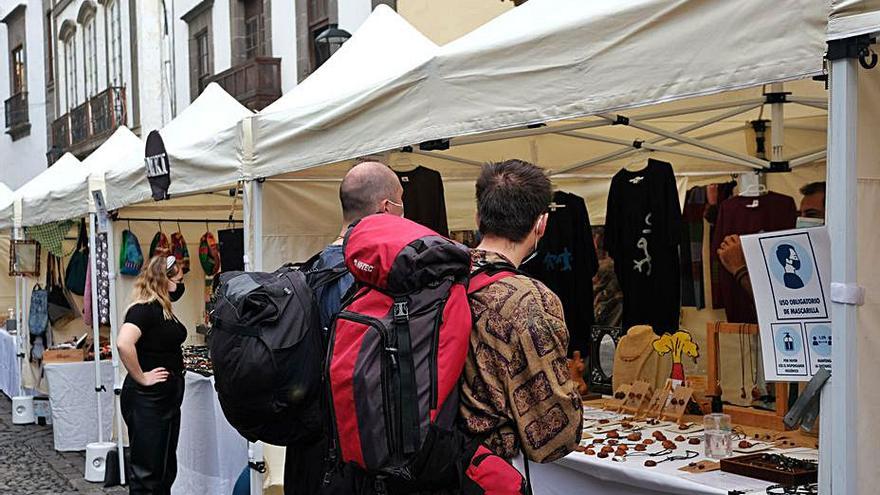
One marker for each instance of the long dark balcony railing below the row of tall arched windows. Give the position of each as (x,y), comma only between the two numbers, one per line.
(87,125)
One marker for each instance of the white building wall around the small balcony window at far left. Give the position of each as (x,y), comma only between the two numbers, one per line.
(24,158)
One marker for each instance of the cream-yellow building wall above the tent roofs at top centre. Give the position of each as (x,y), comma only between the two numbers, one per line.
(448,20)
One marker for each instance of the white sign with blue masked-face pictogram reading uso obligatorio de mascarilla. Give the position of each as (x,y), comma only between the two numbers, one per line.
(790,274)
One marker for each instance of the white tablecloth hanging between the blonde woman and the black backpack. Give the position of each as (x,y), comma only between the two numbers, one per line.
(210,453)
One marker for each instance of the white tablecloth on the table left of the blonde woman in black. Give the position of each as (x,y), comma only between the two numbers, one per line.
(74,403)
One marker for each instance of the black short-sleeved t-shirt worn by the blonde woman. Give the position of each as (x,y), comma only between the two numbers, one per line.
(159,345)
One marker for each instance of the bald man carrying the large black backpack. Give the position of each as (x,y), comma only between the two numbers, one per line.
(368,188)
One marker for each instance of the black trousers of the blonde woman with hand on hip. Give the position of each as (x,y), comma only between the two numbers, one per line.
(153,418)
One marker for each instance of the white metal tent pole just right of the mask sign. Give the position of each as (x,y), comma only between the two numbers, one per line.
(838,444)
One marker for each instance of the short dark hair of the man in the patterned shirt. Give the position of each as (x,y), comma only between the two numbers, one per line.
(511,195)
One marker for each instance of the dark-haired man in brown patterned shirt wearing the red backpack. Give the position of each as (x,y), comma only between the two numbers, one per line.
(516,390)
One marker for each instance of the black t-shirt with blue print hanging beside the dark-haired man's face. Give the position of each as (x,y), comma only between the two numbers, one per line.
(566,262)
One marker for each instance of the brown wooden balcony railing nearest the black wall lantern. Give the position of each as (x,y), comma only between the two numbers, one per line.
(255,83)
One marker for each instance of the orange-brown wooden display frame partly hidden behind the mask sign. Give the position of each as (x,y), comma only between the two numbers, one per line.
(746,416)
